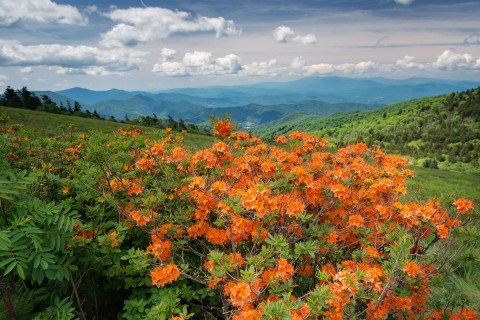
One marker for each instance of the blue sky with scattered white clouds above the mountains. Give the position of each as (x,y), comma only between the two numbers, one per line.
(153,45)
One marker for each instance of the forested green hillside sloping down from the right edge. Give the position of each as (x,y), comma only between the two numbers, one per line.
(442,130)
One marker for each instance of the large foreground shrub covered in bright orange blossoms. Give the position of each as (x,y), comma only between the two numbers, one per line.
(289,230)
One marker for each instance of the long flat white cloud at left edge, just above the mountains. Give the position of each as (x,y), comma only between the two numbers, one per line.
(71,59)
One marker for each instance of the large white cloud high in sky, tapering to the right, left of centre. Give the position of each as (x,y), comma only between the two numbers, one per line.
(140,25)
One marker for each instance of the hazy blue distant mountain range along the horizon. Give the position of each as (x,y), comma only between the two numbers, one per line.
(251,105)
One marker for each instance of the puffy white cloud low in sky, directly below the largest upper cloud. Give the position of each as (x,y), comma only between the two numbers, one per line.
(199,63)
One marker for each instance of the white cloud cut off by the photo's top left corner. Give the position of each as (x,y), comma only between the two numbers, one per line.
(41,11)
